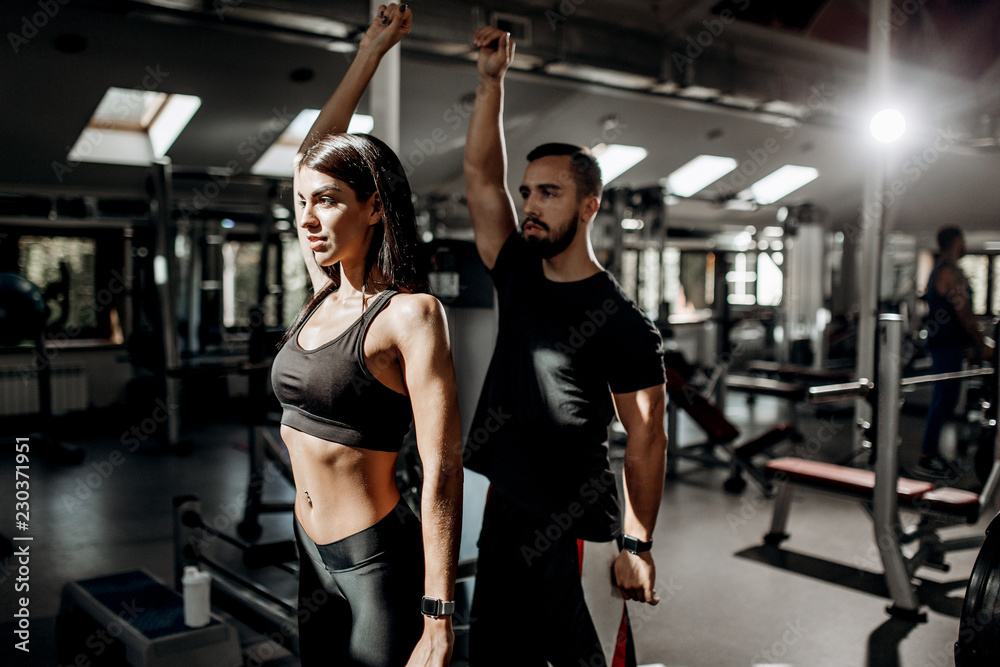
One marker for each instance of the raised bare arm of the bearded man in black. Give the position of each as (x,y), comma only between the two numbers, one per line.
(490,203)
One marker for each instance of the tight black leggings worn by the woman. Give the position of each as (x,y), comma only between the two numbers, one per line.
(359,597)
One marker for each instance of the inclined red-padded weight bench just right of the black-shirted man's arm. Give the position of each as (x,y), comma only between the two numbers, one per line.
(720,432)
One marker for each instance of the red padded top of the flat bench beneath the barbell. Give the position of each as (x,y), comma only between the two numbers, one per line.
(861,484)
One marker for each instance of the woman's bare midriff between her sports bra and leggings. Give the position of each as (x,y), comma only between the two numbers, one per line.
(339,490)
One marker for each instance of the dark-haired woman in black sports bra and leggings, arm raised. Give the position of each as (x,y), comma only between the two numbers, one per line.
(368,352)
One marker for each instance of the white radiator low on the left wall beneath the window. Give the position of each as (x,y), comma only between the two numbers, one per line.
(19,391)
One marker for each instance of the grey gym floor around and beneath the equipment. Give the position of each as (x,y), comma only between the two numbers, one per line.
(726,602)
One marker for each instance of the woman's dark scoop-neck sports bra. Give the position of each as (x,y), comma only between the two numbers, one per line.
(329,392)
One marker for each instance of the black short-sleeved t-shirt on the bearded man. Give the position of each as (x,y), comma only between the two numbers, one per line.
(540,430)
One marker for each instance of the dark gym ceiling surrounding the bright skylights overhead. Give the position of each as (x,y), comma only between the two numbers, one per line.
(730,78)
